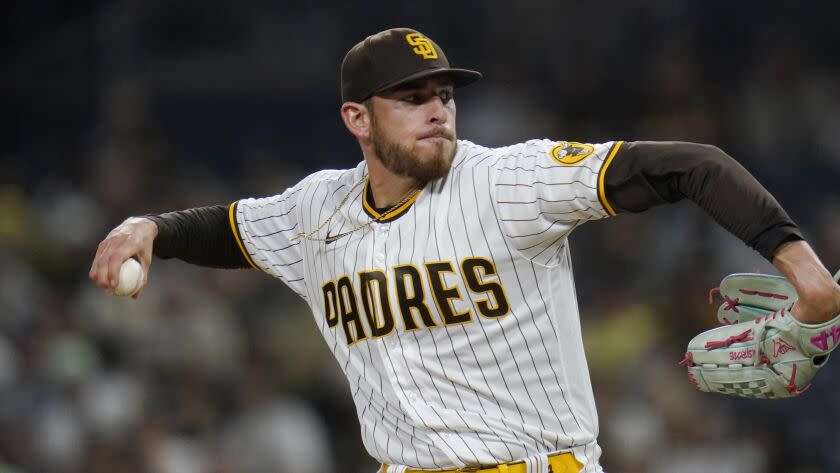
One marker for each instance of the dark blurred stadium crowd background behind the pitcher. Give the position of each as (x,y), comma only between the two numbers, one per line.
(120,108)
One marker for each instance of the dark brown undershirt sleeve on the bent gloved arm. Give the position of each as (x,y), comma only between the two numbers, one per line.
(646,173)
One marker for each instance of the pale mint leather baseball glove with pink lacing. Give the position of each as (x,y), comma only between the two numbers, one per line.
(762,351)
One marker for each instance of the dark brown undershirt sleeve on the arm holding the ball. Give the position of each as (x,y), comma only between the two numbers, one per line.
(201,236)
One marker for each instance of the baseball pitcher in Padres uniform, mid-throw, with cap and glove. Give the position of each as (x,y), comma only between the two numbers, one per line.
(439,275)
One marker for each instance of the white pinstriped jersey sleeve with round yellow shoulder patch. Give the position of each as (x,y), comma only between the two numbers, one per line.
(545,189)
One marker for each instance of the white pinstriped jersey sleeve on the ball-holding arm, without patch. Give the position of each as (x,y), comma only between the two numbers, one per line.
(265,229)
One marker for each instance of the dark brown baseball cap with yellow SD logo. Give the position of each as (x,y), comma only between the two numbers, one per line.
(394,57)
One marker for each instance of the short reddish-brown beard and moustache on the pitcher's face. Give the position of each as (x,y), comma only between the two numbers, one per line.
(404,160)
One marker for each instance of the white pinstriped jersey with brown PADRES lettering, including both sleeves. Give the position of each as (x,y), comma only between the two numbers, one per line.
(454,319)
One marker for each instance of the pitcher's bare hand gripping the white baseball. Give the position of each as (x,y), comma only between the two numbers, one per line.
(132,238)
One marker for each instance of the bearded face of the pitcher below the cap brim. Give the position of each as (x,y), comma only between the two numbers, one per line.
(413,128)
